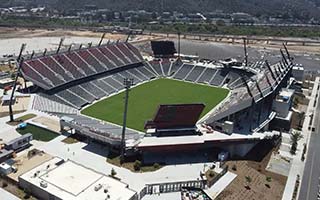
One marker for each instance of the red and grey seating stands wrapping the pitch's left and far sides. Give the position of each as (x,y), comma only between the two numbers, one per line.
(99,71)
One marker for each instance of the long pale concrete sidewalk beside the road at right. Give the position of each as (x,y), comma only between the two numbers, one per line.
(297,166)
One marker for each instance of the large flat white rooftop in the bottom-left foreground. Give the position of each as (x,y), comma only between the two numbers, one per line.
(69,180)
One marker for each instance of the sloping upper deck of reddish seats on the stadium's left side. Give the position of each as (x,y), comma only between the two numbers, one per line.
(59,69)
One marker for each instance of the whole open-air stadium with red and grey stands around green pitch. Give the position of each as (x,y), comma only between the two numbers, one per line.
(175,104)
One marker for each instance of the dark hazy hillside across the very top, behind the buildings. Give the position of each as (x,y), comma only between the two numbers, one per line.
(297,8)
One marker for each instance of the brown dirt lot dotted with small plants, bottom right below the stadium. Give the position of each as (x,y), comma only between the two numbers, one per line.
(264,185)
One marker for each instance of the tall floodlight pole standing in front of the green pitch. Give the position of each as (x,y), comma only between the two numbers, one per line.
(128,82)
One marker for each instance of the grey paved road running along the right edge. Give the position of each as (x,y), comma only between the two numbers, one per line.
(310,180)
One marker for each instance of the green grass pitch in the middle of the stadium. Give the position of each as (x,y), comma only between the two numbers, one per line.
(145,99)
